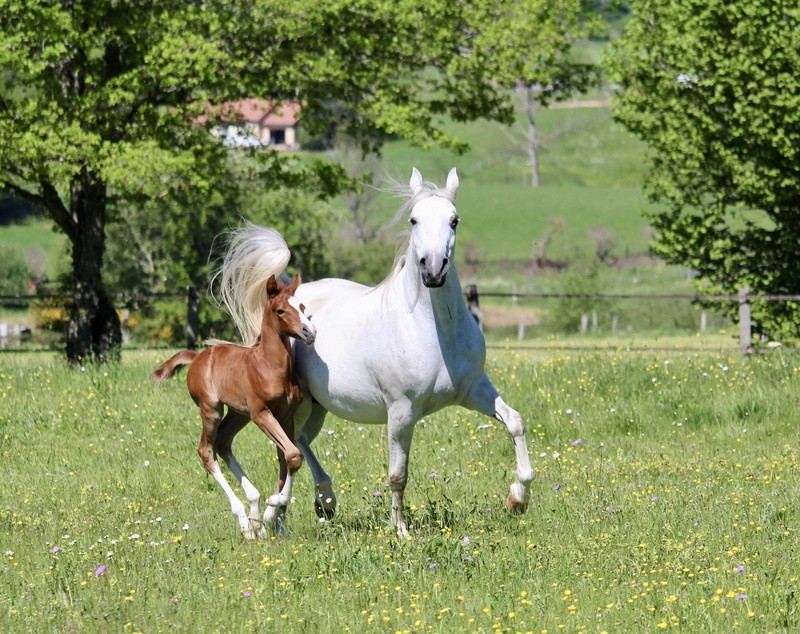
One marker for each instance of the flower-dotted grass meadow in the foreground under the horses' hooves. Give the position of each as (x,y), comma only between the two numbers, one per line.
(665,498)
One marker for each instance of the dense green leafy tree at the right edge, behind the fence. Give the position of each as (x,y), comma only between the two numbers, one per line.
(713,90)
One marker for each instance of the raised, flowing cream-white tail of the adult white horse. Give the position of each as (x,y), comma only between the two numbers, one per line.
(254,253)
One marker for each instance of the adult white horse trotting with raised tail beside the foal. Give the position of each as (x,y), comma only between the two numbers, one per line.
(389,354)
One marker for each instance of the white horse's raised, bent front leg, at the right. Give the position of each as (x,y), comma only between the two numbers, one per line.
(483,397)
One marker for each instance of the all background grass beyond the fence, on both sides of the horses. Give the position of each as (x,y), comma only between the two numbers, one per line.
(592,172)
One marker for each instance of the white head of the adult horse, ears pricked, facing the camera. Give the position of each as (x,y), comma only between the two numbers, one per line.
(433,221)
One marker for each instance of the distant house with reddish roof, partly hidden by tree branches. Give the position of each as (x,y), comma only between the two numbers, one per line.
(256,122)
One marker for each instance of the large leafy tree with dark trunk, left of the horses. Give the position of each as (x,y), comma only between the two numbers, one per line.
(99,99)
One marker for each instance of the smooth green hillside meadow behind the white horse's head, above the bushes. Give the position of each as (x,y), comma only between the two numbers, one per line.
(592,172)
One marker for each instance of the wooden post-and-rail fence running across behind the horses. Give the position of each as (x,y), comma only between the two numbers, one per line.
(743,298)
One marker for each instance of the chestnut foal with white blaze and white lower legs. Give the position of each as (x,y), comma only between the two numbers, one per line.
(255,383)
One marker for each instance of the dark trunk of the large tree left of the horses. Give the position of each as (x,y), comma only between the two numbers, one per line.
(94,331)
